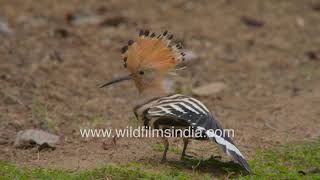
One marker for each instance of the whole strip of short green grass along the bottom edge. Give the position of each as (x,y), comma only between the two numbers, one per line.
(285,162)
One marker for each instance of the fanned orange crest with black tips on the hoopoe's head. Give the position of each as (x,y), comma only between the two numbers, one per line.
(153,52)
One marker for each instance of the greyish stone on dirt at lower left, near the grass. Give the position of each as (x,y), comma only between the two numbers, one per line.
(32,137)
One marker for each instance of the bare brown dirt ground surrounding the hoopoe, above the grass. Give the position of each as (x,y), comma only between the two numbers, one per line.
(59,52)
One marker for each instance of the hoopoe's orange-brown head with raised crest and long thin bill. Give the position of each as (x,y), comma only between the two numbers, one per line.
(149,58)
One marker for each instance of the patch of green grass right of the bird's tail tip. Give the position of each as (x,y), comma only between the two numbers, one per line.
(289,161)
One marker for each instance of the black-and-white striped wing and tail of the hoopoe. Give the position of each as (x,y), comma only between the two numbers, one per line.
(188,110)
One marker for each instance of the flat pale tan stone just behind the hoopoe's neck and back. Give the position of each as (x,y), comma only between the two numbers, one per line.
(209,89)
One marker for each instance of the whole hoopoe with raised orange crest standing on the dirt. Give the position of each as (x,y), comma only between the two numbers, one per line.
(148,59)
